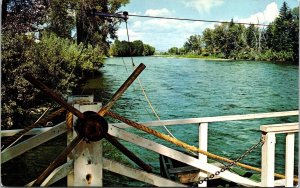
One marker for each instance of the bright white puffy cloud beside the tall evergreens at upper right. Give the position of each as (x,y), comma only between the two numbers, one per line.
(268,15)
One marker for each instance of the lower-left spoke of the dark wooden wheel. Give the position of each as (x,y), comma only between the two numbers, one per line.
(58,161)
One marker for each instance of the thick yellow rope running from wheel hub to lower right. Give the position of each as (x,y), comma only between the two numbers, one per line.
(184,145)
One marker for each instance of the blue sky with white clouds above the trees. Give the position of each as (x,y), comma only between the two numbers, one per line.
(164,34)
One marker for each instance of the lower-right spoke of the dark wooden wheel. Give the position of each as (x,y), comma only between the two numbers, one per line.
(128,153)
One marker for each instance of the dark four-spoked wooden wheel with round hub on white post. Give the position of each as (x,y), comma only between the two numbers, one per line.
(91,126)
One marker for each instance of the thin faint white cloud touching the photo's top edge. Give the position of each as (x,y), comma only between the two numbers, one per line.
(203,6)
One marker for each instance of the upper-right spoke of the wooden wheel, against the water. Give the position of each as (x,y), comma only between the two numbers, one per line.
(122,89)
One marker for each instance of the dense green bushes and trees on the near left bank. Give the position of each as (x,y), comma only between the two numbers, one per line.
(38,38)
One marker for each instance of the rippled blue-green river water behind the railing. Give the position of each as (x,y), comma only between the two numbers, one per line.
(185,88)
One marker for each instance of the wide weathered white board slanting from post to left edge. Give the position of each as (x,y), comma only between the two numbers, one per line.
(33,142)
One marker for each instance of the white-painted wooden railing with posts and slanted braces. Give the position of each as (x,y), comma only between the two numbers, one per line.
(117,130)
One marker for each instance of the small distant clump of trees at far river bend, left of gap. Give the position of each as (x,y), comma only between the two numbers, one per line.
(135,48)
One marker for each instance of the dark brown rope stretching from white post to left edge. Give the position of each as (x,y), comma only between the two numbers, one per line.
(12,139)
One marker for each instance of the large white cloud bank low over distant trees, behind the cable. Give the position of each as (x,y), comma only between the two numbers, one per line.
(160,33)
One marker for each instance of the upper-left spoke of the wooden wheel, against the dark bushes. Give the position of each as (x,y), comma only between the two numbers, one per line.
(53,95)
